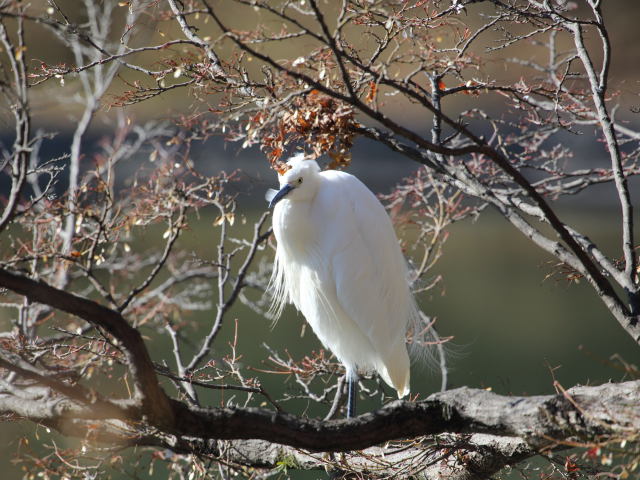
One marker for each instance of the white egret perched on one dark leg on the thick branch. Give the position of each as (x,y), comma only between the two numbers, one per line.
(339,262)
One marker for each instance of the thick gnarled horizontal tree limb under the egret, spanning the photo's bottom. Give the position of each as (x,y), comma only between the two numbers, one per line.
(497,429)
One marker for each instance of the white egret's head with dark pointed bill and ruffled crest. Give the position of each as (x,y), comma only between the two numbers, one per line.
(299,181)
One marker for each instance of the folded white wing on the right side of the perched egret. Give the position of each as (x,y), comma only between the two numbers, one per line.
(369,269)
